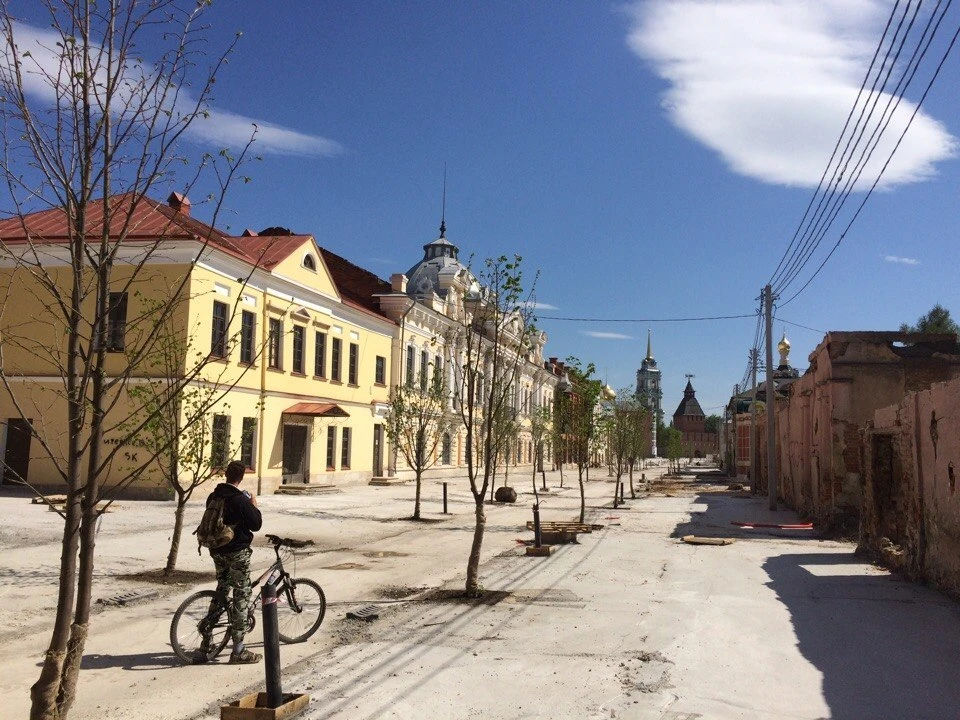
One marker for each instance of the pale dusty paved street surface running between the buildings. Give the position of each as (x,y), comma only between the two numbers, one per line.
(628,623)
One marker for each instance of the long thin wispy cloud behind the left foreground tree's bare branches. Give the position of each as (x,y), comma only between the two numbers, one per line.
(221,128)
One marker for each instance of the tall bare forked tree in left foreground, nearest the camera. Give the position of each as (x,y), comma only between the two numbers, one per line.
(89,128)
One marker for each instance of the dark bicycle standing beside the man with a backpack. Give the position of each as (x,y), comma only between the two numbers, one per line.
(301,605)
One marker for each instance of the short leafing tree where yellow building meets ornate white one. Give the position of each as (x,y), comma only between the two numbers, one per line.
(417,423)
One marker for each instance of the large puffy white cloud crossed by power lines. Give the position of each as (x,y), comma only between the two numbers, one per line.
(768,84)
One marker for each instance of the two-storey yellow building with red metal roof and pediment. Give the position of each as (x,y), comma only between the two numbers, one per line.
(291,349)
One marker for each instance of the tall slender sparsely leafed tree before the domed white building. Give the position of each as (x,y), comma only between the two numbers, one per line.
(492,337)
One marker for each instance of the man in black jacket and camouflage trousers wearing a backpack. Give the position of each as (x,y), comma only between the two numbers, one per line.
(232,561)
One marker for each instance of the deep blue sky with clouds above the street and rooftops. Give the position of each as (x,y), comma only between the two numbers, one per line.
(652,160)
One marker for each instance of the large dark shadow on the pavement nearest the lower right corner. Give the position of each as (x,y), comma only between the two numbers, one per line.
(886,647)
